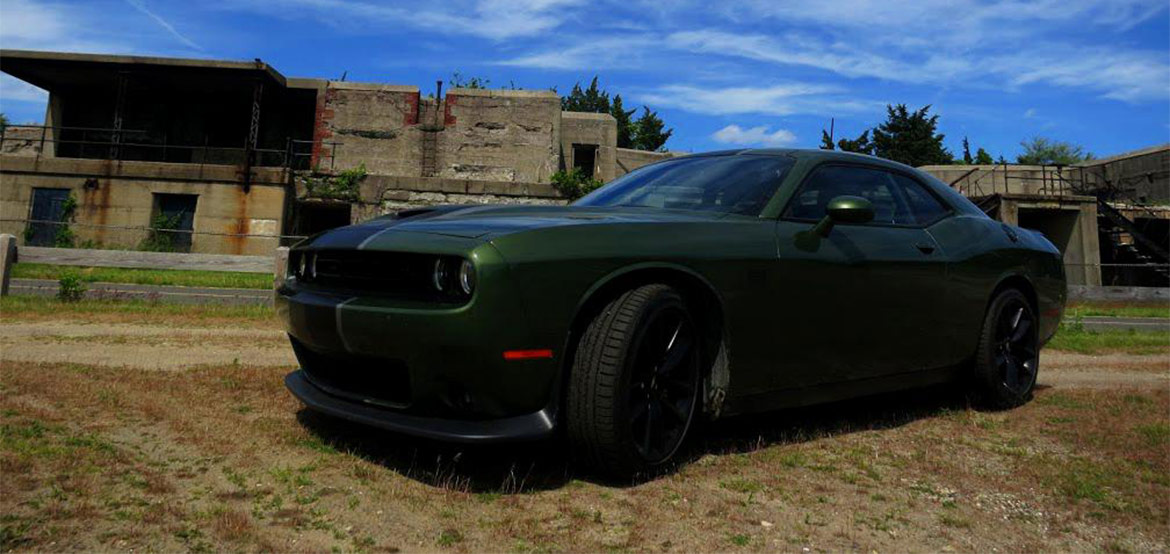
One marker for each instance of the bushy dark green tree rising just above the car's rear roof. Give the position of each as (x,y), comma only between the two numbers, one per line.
(911,137)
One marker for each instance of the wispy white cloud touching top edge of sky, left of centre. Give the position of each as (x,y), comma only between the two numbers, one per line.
(492,19)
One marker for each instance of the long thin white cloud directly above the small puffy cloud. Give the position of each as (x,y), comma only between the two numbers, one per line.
(781,100)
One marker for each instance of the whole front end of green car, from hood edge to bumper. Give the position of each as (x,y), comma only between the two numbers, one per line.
(416,333)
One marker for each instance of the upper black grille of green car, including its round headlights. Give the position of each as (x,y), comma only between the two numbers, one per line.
(394,274)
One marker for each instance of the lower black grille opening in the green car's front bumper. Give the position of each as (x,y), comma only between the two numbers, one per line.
(363,379)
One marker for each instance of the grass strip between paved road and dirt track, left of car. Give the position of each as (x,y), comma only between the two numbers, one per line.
(36,306)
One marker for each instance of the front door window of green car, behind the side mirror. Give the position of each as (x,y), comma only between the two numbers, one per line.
(831,182)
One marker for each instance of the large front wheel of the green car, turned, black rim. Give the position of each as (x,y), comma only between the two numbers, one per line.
(635,384)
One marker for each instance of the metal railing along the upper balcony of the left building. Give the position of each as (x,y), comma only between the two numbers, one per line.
(139,146)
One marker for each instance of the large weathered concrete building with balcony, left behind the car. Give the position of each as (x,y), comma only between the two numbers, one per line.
(238,156)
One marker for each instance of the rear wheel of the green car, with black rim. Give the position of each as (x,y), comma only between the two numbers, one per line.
(1008,358)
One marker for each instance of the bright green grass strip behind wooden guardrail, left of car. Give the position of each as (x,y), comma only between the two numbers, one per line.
(175,278)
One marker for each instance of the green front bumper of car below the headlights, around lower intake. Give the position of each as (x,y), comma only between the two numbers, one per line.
(418,364)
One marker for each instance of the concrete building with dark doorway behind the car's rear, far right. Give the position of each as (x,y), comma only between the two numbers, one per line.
(1110,217)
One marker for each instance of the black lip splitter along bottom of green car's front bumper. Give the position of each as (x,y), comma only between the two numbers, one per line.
(531,427)
